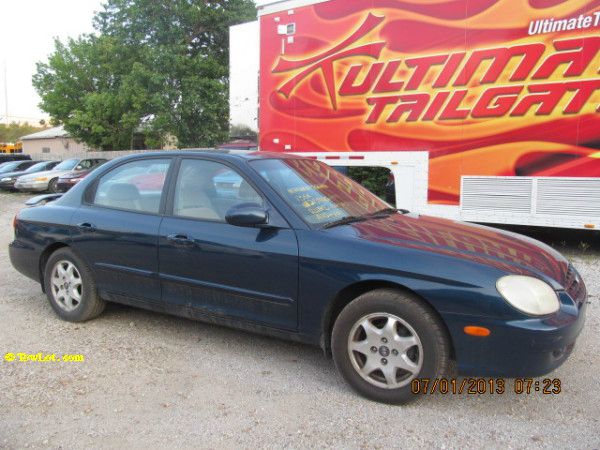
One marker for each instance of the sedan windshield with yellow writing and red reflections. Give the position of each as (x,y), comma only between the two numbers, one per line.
(317,192)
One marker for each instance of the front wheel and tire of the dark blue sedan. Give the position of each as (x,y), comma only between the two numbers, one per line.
(395,338)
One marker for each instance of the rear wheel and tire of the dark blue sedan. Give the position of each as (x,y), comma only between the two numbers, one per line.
(71,291)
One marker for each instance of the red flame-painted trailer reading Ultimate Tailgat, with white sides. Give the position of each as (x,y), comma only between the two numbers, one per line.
(484,110)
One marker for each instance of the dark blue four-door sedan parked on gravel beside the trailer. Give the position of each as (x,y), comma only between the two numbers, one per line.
(289,247)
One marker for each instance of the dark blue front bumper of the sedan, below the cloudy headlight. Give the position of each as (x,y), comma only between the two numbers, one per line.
(518,348)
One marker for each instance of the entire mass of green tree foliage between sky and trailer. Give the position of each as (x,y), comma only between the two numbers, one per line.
(156,67)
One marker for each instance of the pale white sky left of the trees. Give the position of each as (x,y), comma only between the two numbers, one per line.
(28,31)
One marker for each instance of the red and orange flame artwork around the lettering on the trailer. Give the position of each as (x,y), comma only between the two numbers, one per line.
(302,109)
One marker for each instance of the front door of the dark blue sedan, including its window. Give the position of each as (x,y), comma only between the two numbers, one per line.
(210,267)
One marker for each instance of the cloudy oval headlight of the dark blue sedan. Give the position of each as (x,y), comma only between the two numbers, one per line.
(529,295)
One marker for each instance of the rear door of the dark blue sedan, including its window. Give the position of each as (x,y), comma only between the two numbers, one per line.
(116,229)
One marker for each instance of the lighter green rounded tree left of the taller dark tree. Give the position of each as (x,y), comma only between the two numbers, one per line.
(89,85)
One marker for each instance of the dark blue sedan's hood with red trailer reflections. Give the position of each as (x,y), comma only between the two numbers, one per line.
(503,250)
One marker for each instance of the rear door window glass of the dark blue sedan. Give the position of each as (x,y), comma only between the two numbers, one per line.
(134,186)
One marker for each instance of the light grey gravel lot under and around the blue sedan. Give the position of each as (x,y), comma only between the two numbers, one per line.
(151,380)
